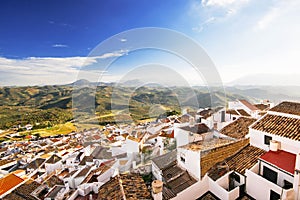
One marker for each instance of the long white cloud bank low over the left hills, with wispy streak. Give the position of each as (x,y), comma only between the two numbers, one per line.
(50,70)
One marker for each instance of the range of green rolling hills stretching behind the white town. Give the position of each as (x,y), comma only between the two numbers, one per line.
(128,100)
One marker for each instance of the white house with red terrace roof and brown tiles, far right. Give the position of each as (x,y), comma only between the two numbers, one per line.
(277,132)
